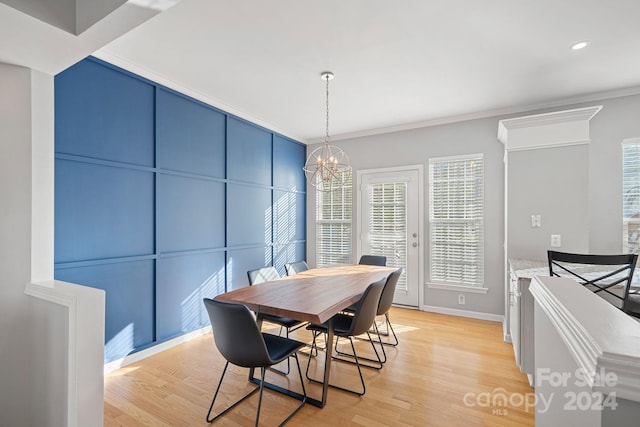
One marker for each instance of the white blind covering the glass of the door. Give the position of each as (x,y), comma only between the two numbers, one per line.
(388,224)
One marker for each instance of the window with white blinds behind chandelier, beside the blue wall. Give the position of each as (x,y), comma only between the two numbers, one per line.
(333,225)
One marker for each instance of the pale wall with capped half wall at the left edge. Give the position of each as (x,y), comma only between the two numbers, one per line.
(51,351)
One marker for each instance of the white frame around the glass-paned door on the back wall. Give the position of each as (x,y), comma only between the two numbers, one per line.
(420,169)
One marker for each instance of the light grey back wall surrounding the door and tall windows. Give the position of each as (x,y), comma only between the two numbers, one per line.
(416,147)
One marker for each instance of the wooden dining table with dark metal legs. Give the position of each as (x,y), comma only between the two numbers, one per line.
(315,296)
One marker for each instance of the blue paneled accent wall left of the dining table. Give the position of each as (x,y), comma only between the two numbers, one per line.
(162,200)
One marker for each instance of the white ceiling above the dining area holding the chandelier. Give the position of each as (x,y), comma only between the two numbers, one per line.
(397,64)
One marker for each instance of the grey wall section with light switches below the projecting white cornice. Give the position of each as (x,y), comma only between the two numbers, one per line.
(552,183)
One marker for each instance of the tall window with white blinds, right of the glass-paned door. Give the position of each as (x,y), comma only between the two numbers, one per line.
(456,220)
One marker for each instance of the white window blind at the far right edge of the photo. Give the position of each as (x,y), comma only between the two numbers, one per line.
(631,196)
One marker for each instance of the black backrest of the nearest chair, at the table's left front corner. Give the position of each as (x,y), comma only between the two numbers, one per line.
(236,334)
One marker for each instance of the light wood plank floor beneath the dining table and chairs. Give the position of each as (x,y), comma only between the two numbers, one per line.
(447,371)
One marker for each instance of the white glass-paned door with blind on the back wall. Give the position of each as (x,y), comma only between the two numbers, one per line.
(391,210)
